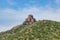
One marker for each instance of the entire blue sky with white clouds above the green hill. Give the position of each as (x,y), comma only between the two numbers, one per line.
(13,12)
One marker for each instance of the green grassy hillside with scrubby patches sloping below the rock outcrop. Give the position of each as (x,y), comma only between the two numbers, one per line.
(41,30)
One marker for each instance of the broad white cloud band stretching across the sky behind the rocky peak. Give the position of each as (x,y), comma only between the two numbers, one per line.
(39,13)
